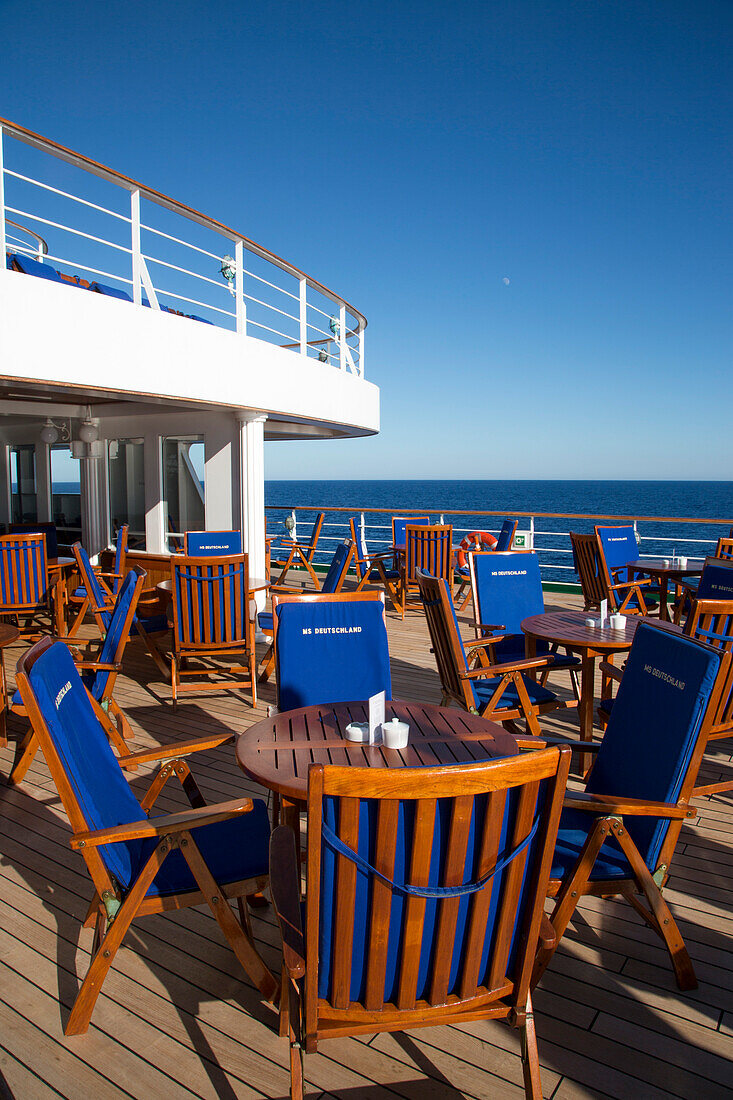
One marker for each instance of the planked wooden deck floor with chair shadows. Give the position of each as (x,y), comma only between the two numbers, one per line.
(177,1020)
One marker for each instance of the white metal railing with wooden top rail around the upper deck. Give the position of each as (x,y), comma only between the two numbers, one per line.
(166,255)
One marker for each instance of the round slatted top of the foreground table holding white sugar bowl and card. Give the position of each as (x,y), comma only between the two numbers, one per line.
(278,751)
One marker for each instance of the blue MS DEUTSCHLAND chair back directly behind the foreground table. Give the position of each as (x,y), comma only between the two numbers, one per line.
(331,648)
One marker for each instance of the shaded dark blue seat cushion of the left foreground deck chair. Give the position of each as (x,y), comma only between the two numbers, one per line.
(233,851)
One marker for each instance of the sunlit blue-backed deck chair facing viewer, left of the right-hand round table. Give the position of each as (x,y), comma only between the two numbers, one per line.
(507,588)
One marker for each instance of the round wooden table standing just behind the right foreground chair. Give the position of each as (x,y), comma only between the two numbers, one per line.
(568,629)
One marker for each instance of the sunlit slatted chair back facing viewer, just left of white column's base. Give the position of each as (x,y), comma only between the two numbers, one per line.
(211,602)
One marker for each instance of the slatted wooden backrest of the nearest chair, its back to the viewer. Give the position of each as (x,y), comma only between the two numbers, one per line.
(485,813)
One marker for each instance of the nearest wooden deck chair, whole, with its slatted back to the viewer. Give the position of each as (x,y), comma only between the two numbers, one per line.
(425,900)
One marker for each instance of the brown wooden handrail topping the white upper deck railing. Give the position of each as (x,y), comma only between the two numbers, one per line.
(80,161)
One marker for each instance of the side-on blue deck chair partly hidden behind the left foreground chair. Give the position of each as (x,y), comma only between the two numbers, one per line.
(99,677)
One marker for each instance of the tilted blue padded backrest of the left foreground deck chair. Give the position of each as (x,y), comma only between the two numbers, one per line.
(91,783)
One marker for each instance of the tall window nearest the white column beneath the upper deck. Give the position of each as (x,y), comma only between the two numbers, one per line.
(183,487)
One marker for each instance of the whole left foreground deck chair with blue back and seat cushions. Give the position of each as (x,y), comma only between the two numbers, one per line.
(139,866)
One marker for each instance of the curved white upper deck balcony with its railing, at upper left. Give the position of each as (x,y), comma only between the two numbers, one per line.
(189,311)
